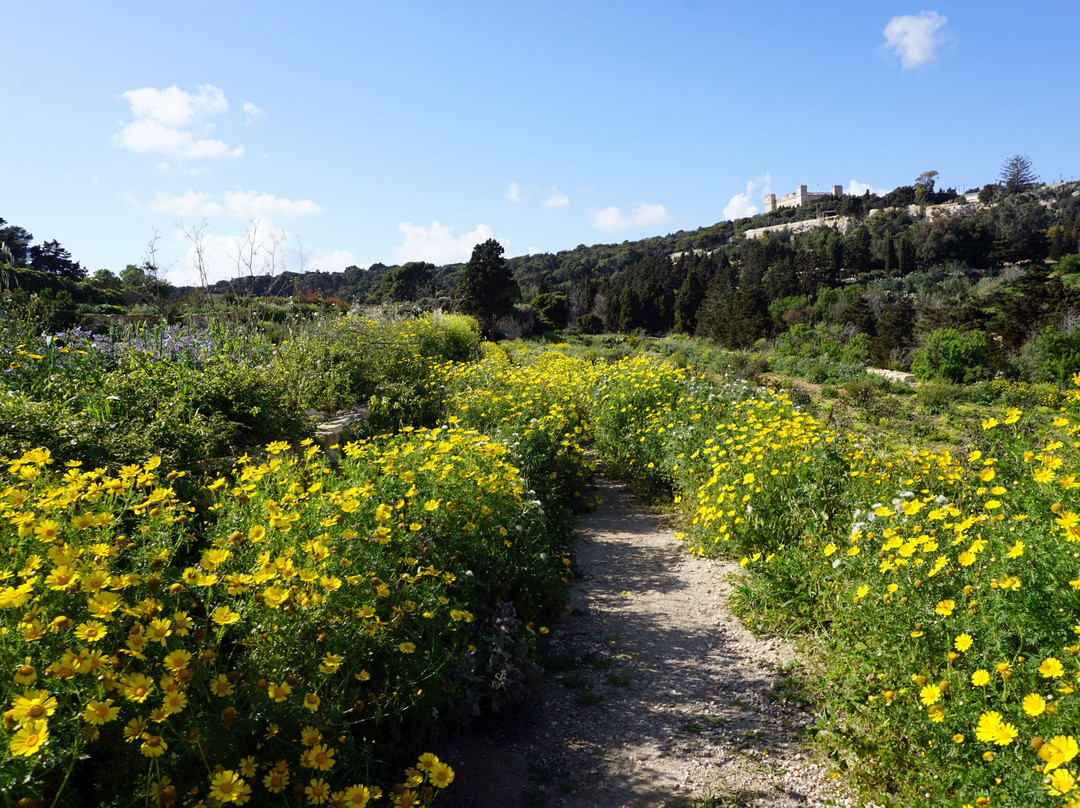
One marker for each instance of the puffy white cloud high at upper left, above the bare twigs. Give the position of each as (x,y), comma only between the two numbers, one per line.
(170,123)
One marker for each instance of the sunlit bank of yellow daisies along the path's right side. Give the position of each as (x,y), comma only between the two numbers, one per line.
(940,585)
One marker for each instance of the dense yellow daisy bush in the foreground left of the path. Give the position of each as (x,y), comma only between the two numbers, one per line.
(354,610)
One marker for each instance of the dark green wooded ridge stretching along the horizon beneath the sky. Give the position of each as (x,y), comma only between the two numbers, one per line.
(874,284)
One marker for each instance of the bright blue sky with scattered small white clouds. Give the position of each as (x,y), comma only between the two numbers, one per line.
(320,136)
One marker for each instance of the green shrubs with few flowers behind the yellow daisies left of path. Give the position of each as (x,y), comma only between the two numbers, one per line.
(190,395)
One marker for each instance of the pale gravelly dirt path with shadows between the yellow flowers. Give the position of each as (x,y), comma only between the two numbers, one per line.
(657,694)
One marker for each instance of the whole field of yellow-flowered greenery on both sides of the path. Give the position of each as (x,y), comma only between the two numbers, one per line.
(204,602)
